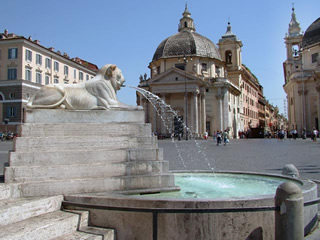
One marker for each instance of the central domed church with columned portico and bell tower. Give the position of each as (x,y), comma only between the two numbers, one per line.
(201,81)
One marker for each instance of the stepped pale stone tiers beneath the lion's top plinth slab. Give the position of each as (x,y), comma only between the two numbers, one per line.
(53,159)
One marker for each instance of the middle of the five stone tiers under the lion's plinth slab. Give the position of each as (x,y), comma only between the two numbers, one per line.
(83,156)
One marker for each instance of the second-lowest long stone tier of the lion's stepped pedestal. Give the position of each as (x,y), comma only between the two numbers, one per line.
(80,171)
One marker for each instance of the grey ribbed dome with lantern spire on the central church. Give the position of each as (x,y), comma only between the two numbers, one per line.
(186,42)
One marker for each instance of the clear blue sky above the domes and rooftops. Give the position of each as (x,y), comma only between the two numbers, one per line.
(127,32)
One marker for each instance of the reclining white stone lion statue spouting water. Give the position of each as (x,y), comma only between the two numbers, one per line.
(96,93)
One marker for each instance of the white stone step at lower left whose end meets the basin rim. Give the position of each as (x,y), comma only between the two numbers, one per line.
(16,210)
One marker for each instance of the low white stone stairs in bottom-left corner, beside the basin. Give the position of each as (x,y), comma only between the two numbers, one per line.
(41,218)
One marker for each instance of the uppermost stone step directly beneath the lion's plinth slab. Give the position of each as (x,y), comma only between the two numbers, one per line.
(85,129)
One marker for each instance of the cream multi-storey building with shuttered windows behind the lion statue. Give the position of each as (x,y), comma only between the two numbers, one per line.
(25,66)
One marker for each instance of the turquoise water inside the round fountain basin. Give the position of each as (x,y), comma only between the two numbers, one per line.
(213,185)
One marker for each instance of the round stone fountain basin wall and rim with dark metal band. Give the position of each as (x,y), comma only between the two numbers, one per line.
(171,224)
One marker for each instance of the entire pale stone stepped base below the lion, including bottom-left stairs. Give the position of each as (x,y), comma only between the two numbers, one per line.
(62,152)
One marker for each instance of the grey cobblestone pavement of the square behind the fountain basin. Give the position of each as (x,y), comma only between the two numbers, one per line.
(253,155)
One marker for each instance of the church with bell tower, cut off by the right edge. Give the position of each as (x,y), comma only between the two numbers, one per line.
(302,75)
